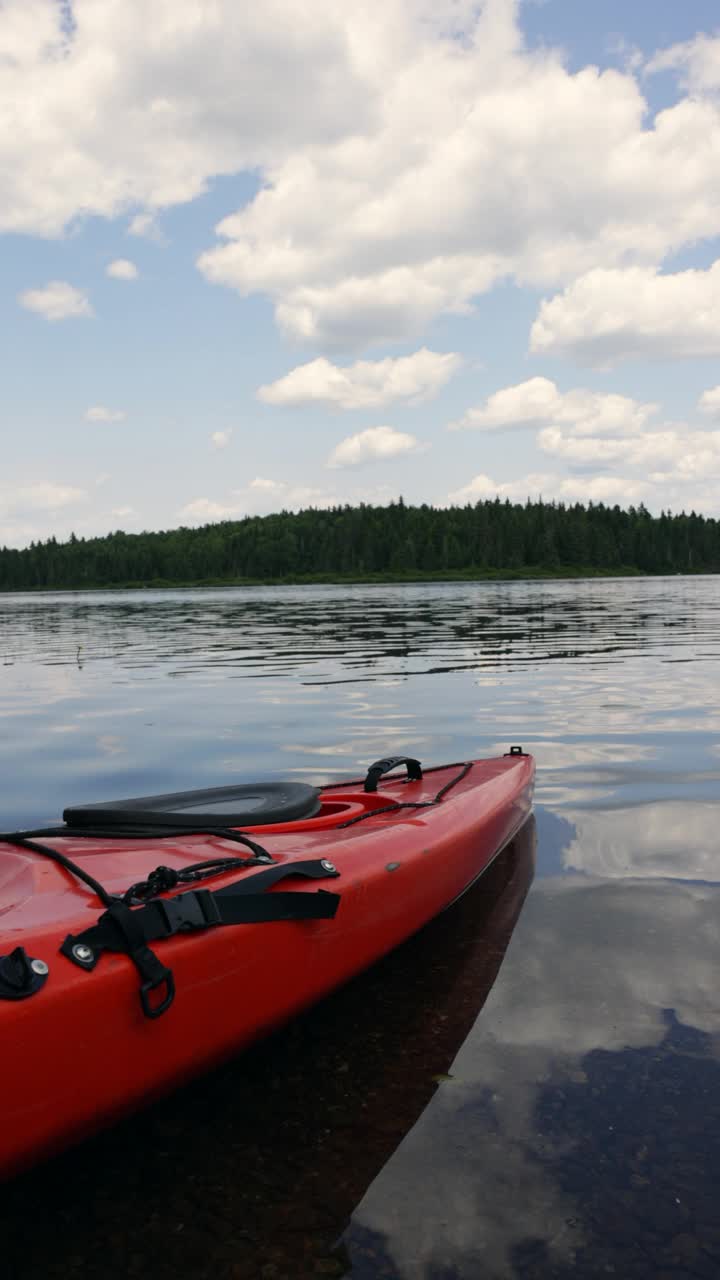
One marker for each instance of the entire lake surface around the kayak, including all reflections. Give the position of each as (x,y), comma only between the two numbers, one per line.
(531,1087)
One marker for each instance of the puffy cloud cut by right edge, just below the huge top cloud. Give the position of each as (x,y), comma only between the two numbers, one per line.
(609,316)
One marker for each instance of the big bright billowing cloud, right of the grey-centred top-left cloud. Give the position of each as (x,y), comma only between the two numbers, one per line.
(485,161)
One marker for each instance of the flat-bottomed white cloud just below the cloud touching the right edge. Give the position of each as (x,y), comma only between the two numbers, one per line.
(539,401)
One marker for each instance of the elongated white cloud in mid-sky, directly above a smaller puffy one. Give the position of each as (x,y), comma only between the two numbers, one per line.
(367,383)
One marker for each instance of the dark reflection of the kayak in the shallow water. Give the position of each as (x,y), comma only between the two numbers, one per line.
(256,1169)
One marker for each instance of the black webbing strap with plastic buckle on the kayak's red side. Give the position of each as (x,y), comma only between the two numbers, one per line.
(130,931)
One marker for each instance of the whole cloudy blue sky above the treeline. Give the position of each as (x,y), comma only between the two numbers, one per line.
(441,250)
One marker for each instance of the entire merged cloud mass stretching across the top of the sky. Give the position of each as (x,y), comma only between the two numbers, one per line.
(403,171)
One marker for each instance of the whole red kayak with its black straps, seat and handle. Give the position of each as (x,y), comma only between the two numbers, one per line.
(145,940)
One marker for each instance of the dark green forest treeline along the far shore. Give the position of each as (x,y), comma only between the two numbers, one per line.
(367,542)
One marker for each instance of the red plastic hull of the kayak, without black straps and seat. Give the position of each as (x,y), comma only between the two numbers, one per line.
(80,1053)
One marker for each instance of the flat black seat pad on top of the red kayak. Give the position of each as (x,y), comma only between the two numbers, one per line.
(253,806)
